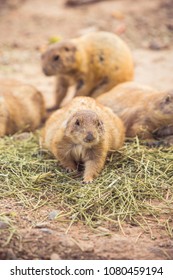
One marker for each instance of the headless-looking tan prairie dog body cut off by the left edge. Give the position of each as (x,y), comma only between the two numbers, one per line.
(21,107)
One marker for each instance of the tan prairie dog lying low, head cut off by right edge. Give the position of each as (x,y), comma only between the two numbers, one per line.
(145,111)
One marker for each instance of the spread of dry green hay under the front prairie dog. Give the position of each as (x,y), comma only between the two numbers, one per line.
(137,182)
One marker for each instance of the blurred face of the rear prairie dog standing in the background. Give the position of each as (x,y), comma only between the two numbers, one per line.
(59,59)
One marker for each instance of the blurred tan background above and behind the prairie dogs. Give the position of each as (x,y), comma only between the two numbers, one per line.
(28,26)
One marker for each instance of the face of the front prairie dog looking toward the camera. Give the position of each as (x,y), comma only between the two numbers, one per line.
(85,128)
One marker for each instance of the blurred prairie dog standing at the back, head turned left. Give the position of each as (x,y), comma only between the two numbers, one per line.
(88,65)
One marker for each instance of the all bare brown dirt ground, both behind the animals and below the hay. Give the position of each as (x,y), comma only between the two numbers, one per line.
(26,26)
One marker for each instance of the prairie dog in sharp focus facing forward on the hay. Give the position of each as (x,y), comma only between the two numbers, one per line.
(83,132)
